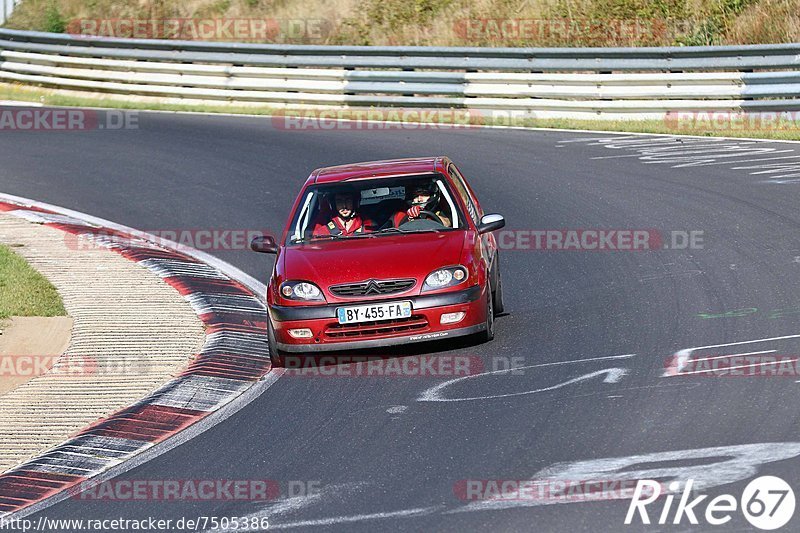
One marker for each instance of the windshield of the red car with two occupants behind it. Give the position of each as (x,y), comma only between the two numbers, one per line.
(374,208)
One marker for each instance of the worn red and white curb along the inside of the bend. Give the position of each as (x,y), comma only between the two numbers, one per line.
(234,357)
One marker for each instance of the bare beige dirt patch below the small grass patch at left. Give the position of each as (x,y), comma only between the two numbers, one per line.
(29,346)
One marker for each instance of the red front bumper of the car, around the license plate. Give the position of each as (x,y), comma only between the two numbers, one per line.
(424,325)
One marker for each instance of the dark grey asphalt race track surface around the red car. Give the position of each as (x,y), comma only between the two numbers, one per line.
(594,329)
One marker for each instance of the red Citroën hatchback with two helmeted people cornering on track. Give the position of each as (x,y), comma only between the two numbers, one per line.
(383,253)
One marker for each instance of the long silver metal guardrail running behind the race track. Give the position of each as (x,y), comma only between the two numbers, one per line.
(544,82)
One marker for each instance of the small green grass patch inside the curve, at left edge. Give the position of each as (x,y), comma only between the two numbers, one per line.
(23,291)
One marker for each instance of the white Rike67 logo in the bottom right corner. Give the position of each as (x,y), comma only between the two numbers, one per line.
(767,503)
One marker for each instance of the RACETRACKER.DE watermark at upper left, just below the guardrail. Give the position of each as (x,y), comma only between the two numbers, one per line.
(57,120)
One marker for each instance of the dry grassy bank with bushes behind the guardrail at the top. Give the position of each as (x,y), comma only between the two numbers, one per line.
(428,22)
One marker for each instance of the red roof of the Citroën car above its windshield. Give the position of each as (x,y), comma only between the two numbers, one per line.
(377,169)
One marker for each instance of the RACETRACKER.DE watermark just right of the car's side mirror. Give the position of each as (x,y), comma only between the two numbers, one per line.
(597,239)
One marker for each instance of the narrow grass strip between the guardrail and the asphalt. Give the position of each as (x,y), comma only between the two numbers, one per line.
(777,130)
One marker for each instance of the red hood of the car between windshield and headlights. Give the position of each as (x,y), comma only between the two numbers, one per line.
(330,262)
